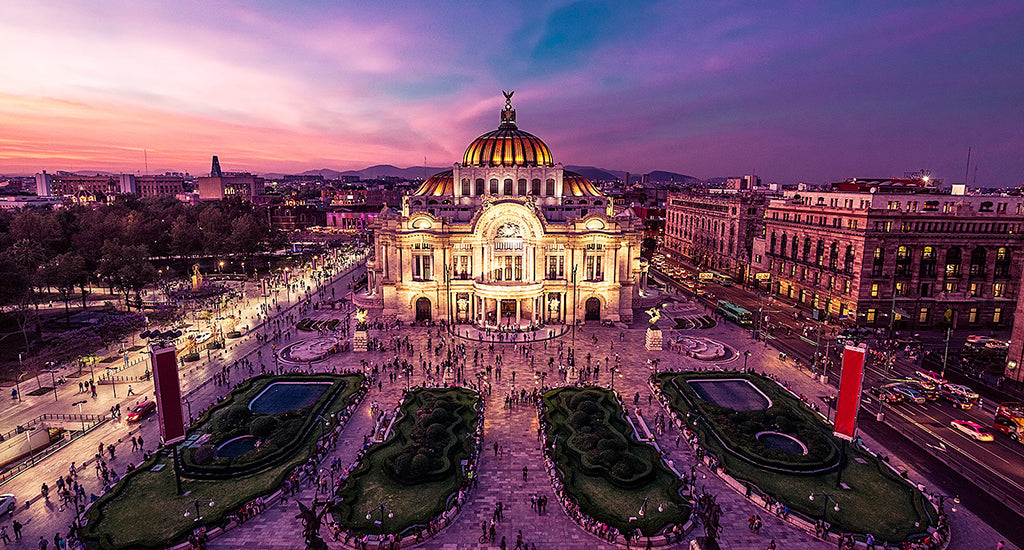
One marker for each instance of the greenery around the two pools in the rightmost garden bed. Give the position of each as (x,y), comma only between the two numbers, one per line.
(878,500)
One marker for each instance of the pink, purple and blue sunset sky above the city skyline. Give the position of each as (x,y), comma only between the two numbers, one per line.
(796,92)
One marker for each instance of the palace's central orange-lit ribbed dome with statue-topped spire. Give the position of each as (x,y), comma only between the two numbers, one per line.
(508,146)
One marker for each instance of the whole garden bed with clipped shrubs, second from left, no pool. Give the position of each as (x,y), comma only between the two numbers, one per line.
(412,477)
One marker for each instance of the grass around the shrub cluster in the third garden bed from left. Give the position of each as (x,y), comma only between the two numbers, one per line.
(601,497)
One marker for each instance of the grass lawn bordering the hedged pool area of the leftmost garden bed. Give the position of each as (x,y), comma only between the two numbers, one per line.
(144,512)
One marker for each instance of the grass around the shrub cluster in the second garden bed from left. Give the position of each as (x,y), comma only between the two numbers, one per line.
(411,504)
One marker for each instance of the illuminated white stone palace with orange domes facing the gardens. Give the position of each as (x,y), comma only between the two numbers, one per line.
(506,238)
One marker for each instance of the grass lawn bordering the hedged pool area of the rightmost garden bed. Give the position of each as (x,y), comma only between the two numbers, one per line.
(878,502)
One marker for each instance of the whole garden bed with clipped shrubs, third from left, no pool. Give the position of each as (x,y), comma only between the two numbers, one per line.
(605,470)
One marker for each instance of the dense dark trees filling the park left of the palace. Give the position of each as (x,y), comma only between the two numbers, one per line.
(68,250)
